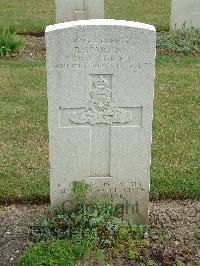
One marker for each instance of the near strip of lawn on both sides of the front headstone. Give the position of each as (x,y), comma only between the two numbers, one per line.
(24,168)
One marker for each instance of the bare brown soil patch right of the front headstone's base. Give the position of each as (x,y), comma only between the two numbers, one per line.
(175,231)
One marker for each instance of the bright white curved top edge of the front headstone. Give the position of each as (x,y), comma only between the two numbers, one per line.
(99,22)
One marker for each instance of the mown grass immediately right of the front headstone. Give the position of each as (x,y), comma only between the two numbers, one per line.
(176,154)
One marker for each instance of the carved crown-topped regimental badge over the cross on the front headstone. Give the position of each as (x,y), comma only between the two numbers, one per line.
(101,107)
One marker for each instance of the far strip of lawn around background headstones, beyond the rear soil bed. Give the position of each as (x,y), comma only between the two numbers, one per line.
(34,15)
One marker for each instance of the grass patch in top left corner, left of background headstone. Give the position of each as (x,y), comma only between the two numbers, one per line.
(27,15)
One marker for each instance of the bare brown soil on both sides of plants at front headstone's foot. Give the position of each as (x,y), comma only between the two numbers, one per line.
(174,231)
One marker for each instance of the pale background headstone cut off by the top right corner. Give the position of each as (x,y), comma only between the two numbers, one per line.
(185,13)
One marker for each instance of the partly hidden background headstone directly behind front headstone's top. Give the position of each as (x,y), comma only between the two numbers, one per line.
(70,10)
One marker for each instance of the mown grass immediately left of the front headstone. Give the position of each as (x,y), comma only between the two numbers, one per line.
(23,142)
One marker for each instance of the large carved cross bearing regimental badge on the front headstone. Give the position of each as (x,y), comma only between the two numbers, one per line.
(102,115)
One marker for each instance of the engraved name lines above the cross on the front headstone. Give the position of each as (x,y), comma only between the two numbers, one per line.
(88,53)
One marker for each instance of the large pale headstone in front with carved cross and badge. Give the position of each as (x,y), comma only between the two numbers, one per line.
(100,94)
